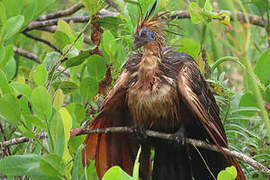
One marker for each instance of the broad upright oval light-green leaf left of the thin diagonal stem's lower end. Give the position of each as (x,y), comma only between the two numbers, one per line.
(41,102)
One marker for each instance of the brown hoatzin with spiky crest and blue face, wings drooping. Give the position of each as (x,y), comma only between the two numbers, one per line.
(162,90)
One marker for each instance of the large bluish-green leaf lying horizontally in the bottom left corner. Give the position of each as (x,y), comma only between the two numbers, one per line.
(19,165)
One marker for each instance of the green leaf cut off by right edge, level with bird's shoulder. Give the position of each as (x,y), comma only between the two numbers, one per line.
(262,68)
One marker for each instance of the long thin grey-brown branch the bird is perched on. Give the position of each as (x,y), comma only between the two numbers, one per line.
(171,137)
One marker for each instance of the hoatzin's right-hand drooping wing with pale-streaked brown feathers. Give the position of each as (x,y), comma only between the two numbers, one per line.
(197,96)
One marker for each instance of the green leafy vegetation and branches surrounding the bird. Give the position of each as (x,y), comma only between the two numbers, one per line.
(52,78)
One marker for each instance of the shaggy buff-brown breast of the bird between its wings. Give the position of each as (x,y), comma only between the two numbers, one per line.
(154,106)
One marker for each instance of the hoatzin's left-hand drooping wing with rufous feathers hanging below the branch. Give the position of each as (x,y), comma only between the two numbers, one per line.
(114,149)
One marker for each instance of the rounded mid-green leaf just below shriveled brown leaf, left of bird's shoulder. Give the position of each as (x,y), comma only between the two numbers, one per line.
(96,66)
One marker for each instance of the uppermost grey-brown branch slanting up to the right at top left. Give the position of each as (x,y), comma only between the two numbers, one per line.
(62,13)
